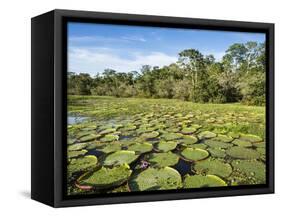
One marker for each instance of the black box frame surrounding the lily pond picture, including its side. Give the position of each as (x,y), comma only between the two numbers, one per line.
(49,106)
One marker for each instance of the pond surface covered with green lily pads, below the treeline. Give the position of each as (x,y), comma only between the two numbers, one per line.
(130,144)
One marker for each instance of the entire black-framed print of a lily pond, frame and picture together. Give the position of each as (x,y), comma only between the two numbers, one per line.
(131,108)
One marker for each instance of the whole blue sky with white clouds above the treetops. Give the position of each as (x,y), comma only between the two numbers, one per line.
(95,47)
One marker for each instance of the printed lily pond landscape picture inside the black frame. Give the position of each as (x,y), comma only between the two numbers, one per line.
(154,109)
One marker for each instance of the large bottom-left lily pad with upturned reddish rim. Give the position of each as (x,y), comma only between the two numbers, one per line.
(106,177)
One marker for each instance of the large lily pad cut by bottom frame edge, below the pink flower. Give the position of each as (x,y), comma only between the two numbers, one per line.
(156,179)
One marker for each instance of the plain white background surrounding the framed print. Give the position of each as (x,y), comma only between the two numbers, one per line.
(15,106)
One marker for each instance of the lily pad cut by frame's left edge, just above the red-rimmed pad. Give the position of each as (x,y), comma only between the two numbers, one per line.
(82,164)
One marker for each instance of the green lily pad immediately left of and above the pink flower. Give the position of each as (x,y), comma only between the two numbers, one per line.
(120,157)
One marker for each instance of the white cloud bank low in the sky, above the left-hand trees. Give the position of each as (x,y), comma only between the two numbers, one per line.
(93,60)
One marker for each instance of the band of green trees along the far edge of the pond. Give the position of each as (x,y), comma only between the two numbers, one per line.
(238,77)
